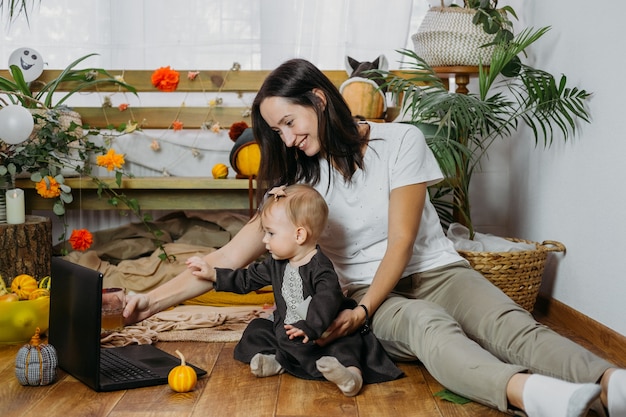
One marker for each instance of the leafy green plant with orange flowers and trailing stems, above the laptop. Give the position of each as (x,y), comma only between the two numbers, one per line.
(60,144)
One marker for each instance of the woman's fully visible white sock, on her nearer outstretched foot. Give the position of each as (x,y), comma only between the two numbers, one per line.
(549,397)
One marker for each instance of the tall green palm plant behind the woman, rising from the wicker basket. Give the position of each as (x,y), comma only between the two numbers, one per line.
(460,128)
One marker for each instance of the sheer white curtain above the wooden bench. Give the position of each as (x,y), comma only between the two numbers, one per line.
(212,34)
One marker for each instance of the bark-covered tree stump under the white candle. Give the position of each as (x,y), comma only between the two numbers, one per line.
(26,248)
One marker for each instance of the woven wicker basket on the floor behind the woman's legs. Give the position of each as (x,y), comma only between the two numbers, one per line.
(517,273)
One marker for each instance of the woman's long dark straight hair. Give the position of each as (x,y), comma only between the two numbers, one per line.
(340,141)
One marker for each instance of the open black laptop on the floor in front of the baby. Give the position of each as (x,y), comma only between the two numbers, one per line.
(74,331)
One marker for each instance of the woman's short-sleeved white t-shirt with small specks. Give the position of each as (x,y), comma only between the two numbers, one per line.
(355,238)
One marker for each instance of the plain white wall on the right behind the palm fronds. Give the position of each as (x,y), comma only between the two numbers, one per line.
(575,192)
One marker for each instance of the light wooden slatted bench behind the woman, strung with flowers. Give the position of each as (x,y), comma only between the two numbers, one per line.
(168,192)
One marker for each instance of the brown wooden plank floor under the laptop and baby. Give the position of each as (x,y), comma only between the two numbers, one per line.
(231,390)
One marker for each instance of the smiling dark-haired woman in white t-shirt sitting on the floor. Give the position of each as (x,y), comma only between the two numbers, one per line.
(385,240)
